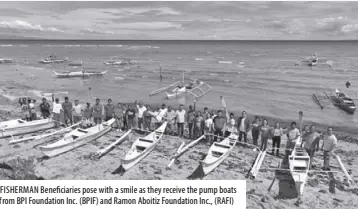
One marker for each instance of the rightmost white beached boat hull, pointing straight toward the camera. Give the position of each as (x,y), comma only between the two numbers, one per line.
(299,163)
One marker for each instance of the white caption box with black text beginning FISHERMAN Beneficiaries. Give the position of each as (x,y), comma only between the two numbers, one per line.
(199,194)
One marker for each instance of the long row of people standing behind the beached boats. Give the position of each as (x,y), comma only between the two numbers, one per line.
(216,125)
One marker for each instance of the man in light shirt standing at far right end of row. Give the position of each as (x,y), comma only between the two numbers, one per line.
(329,143)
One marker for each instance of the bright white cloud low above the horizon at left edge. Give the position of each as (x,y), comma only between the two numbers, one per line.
(22,25)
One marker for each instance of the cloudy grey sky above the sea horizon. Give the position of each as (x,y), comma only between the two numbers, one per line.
(180,20)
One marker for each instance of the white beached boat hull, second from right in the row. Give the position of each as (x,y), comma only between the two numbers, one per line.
(217,153)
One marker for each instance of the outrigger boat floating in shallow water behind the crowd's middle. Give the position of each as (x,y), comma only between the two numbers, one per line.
(196,88)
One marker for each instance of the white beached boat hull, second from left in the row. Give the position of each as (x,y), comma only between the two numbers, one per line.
(76,138)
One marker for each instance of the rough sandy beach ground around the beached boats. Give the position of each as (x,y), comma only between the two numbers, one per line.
(80,165)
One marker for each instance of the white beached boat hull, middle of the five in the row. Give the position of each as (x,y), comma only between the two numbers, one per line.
(142,147)
